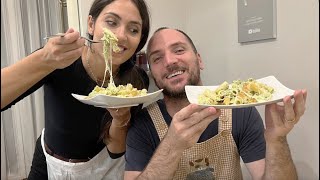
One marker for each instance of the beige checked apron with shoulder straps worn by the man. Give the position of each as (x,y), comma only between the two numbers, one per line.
(219,152)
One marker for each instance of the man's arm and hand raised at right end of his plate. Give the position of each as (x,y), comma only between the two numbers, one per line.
(280,120)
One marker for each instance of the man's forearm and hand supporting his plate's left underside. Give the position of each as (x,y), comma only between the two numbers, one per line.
(185,129)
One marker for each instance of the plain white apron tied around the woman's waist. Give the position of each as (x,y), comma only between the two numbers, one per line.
(100,167)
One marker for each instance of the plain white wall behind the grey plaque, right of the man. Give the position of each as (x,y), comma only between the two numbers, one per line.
(293,58)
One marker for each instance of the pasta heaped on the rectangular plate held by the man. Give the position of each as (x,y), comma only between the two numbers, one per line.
(238,92)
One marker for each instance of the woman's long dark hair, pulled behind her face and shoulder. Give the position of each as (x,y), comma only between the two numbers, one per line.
(128,72)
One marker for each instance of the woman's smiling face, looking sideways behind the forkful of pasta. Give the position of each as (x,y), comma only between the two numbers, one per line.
(123,18)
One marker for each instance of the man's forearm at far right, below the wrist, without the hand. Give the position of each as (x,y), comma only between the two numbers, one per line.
(279,164)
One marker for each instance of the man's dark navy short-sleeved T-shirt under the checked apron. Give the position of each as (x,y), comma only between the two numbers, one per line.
(247,131)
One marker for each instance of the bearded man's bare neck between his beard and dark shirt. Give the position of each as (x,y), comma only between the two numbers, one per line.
(174,105)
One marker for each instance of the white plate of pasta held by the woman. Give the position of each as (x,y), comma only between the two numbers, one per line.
(105,101)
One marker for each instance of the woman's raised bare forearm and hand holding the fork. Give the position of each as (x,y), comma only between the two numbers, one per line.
(59,52)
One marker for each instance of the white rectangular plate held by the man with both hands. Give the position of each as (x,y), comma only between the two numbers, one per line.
(280,92)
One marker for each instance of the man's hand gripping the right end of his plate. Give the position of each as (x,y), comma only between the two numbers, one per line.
(280,119)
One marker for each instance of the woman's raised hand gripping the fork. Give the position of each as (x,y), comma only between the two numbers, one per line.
(60,52)
